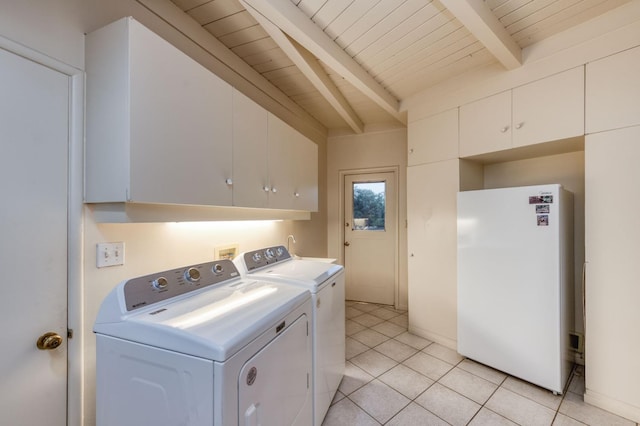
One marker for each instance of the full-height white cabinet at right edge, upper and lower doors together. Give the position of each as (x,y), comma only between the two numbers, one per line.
(612,235)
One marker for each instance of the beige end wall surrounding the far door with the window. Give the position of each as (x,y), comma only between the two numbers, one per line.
(370,150)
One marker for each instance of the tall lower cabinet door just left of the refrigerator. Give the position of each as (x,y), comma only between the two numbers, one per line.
(432,247)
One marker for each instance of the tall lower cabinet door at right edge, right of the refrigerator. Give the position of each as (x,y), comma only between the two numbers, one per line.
(612,238)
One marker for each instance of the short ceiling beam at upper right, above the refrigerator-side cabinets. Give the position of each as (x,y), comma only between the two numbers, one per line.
(478,18)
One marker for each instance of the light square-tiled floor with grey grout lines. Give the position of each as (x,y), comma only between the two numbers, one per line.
(396,378)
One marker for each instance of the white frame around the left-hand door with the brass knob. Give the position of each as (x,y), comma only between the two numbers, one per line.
(75,173)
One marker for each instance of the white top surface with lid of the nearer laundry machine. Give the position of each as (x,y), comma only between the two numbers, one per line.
(213,324)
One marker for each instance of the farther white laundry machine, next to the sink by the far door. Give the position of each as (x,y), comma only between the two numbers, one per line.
(325,281)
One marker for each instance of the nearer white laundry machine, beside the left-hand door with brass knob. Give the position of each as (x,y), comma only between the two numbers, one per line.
(201,346)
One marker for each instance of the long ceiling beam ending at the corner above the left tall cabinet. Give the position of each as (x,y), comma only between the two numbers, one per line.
(293,22)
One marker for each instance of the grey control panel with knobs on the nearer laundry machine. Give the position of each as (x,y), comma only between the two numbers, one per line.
(144,291)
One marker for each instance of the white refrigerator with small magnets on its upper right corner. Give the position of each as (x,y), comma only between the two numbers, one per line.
(515,281)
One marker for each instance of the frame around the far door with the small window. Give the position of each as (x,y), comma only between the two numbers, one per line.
(396,172)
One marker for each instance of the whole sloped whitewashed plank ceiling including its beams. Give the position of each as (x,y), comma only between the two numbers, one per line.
(348,63)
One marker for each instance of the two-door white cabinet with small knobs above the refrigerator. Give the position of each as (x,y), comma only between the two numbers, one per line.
(542,111)
